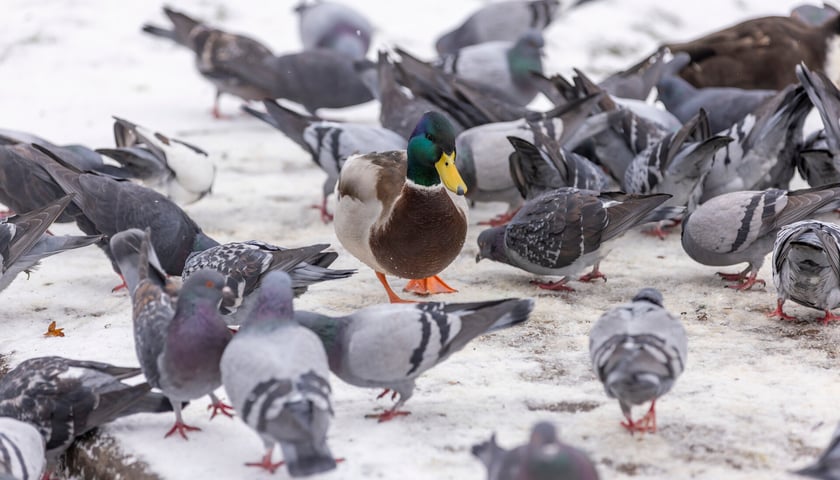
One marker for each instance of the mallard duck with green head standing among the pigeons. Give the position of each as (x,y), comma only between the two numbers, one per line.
(403,212)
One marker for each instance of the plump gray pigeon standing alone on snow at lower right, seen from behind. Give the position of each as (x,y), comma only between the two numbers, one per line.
(638,351)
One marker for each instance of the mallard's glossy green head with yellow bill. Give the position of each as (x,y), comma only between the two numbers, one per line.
(431,154)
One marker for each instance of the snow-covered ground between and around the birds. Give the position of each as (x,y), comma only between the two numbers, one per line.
(758,397)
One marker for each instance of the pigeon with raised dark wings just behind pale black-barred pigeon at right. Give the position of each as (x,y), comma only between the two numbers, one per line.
(764,147)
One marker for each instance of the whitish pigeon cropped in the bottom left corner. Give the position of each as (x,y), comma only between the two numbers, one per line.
(21,450)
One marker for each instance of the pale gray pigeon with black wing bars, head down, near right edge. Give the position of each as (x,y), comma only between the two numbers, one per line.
(742,226)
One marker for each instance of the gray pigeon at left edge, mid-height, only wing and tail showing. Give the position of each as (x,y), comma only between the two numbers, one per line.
(23,242)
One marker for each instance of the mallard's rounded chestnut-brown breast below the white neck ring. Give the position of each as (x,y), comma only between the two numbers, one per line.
(424,235)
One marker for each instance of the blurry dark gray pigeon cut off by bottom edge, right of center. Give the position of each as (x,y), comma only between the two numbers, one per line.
(544,457)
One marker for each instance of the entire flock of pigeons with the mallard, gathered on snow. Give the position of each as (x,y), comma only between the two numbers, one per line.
(717,160)
